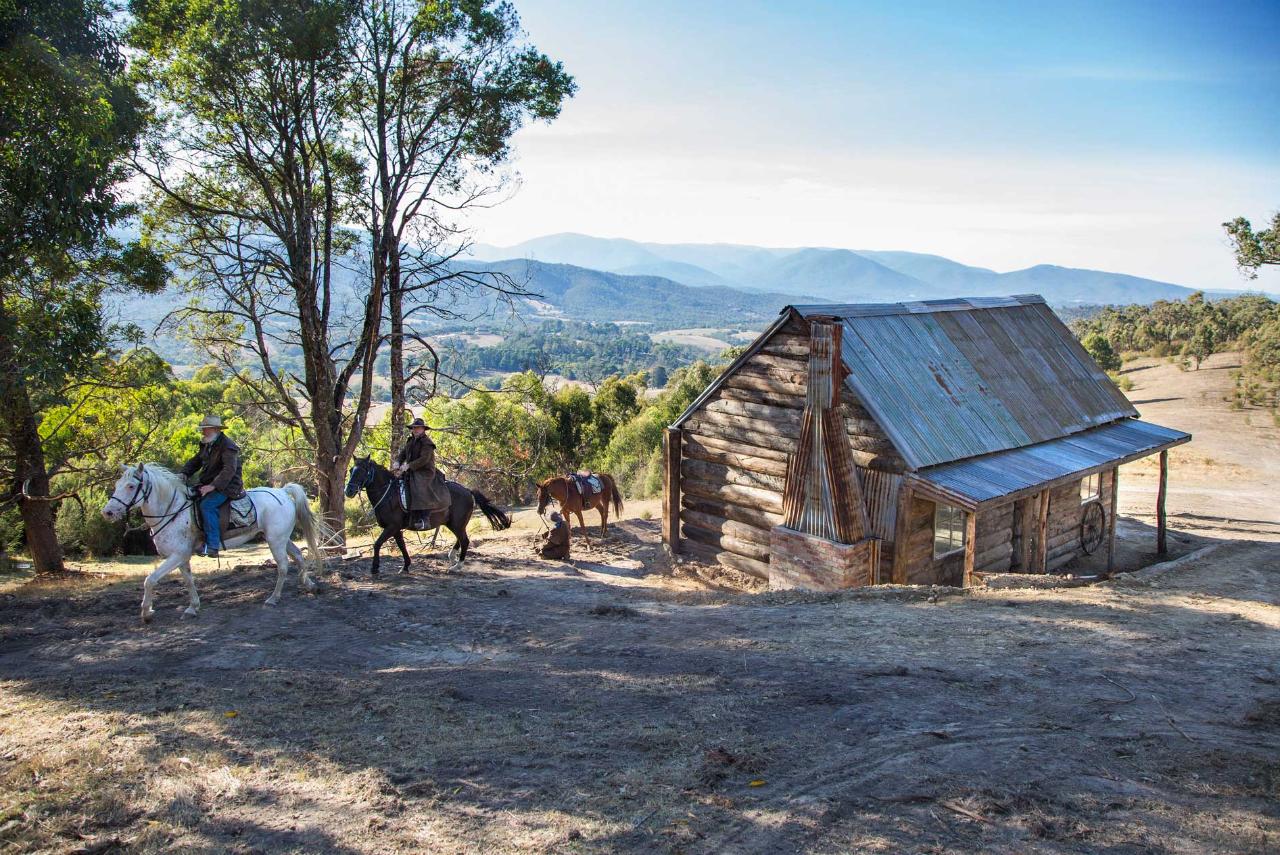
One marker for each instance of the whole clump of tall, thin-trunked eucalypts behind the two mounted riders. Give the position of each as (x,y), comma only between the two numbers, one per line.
(286,132)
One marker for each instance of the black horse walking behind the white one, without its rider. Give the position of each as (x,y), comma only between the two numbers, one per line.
(383,492)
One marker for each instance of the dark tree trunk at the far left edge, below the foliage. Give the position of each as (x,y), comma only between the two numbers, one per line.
(19,422)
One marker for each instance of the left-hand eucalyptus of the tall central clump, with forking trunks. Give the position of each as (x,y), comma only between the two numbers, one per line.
(254,181)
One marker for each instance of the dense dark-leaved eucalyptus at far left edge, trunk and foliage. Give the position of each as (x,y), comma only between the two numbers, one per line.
(68,120)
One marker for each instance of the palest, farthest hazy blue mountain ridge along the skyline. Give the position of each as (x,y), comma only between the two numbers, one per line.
(826,275)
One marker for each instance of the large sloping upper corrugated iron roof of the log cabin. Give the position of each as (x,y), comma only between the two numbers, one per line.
(952,380)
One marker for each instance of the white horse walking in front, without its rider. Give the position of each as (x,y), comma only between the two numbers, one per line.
(167,506)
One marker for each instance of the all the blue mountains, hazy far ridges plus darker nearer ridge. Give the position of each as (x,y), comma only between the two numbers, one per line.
(577,277)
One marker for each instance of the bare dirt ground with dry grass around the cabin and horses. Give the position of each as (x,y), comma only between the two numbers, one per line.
(621,705)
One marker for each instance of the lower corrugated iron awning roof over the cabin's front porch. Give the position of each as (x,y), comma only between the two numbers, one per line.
(999,475)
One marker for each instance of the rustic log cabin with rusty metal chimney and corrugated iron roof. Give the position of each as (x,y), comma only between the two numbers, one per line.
(909,443)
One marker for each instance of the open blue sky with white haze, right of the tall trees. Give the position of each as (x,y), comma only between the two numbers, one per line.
(1098,135)
